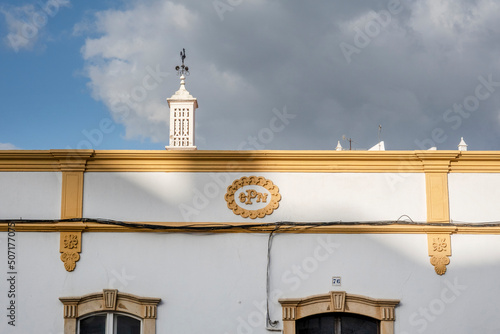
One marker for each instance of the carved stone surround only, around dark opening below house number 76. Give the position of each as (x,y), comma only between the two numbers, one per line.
(338,301)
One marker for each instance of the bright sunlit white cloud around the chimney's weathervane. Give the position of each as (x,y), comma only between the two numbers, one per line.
(128,71)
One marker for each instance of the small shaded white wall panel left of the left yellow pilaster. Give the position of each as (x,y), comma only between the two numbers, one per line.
(30,195)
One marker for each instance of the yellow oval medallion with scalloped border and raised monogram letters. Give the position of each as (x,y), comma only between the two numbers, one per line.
(252,196)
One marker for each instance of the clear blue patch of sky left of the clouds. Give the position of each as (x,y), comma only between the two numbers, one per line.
(47,103)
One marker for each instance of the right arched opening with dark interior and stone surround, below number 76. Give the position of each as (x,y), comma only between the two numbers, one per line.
(338,313)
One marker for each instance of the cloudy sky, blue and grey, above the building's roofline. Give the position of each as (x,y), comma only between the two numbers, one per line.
(286,74)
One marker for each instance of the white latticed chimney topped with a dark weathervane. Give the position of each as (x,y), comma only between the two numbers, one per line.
(182,107)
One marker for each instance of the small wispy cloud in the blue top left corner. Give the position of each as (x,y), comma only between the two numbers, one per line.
(27,23)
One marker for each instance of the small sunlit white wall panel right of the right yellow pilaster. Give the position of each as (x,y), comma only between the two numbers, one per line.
(474,197)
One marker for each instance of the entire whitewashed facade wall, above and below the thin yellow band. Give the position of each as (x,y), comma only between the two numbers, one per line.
(215,283)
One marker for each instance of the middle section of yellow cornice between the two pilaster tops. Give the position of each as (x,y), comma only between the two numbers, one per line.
(254,161)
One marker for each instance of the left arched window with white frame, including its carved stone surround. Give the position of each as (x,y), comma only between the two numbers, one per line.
(109,312)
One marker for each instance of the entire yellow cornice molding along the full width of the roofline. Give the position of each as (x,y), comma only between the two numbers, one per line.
(252,161)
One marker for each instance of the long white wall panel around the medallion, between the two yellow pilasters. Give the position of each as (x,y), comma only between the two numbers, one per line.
(199,197)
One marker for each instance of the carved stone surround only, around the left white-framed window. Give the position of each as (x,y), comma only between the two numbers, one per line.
(110,301)
